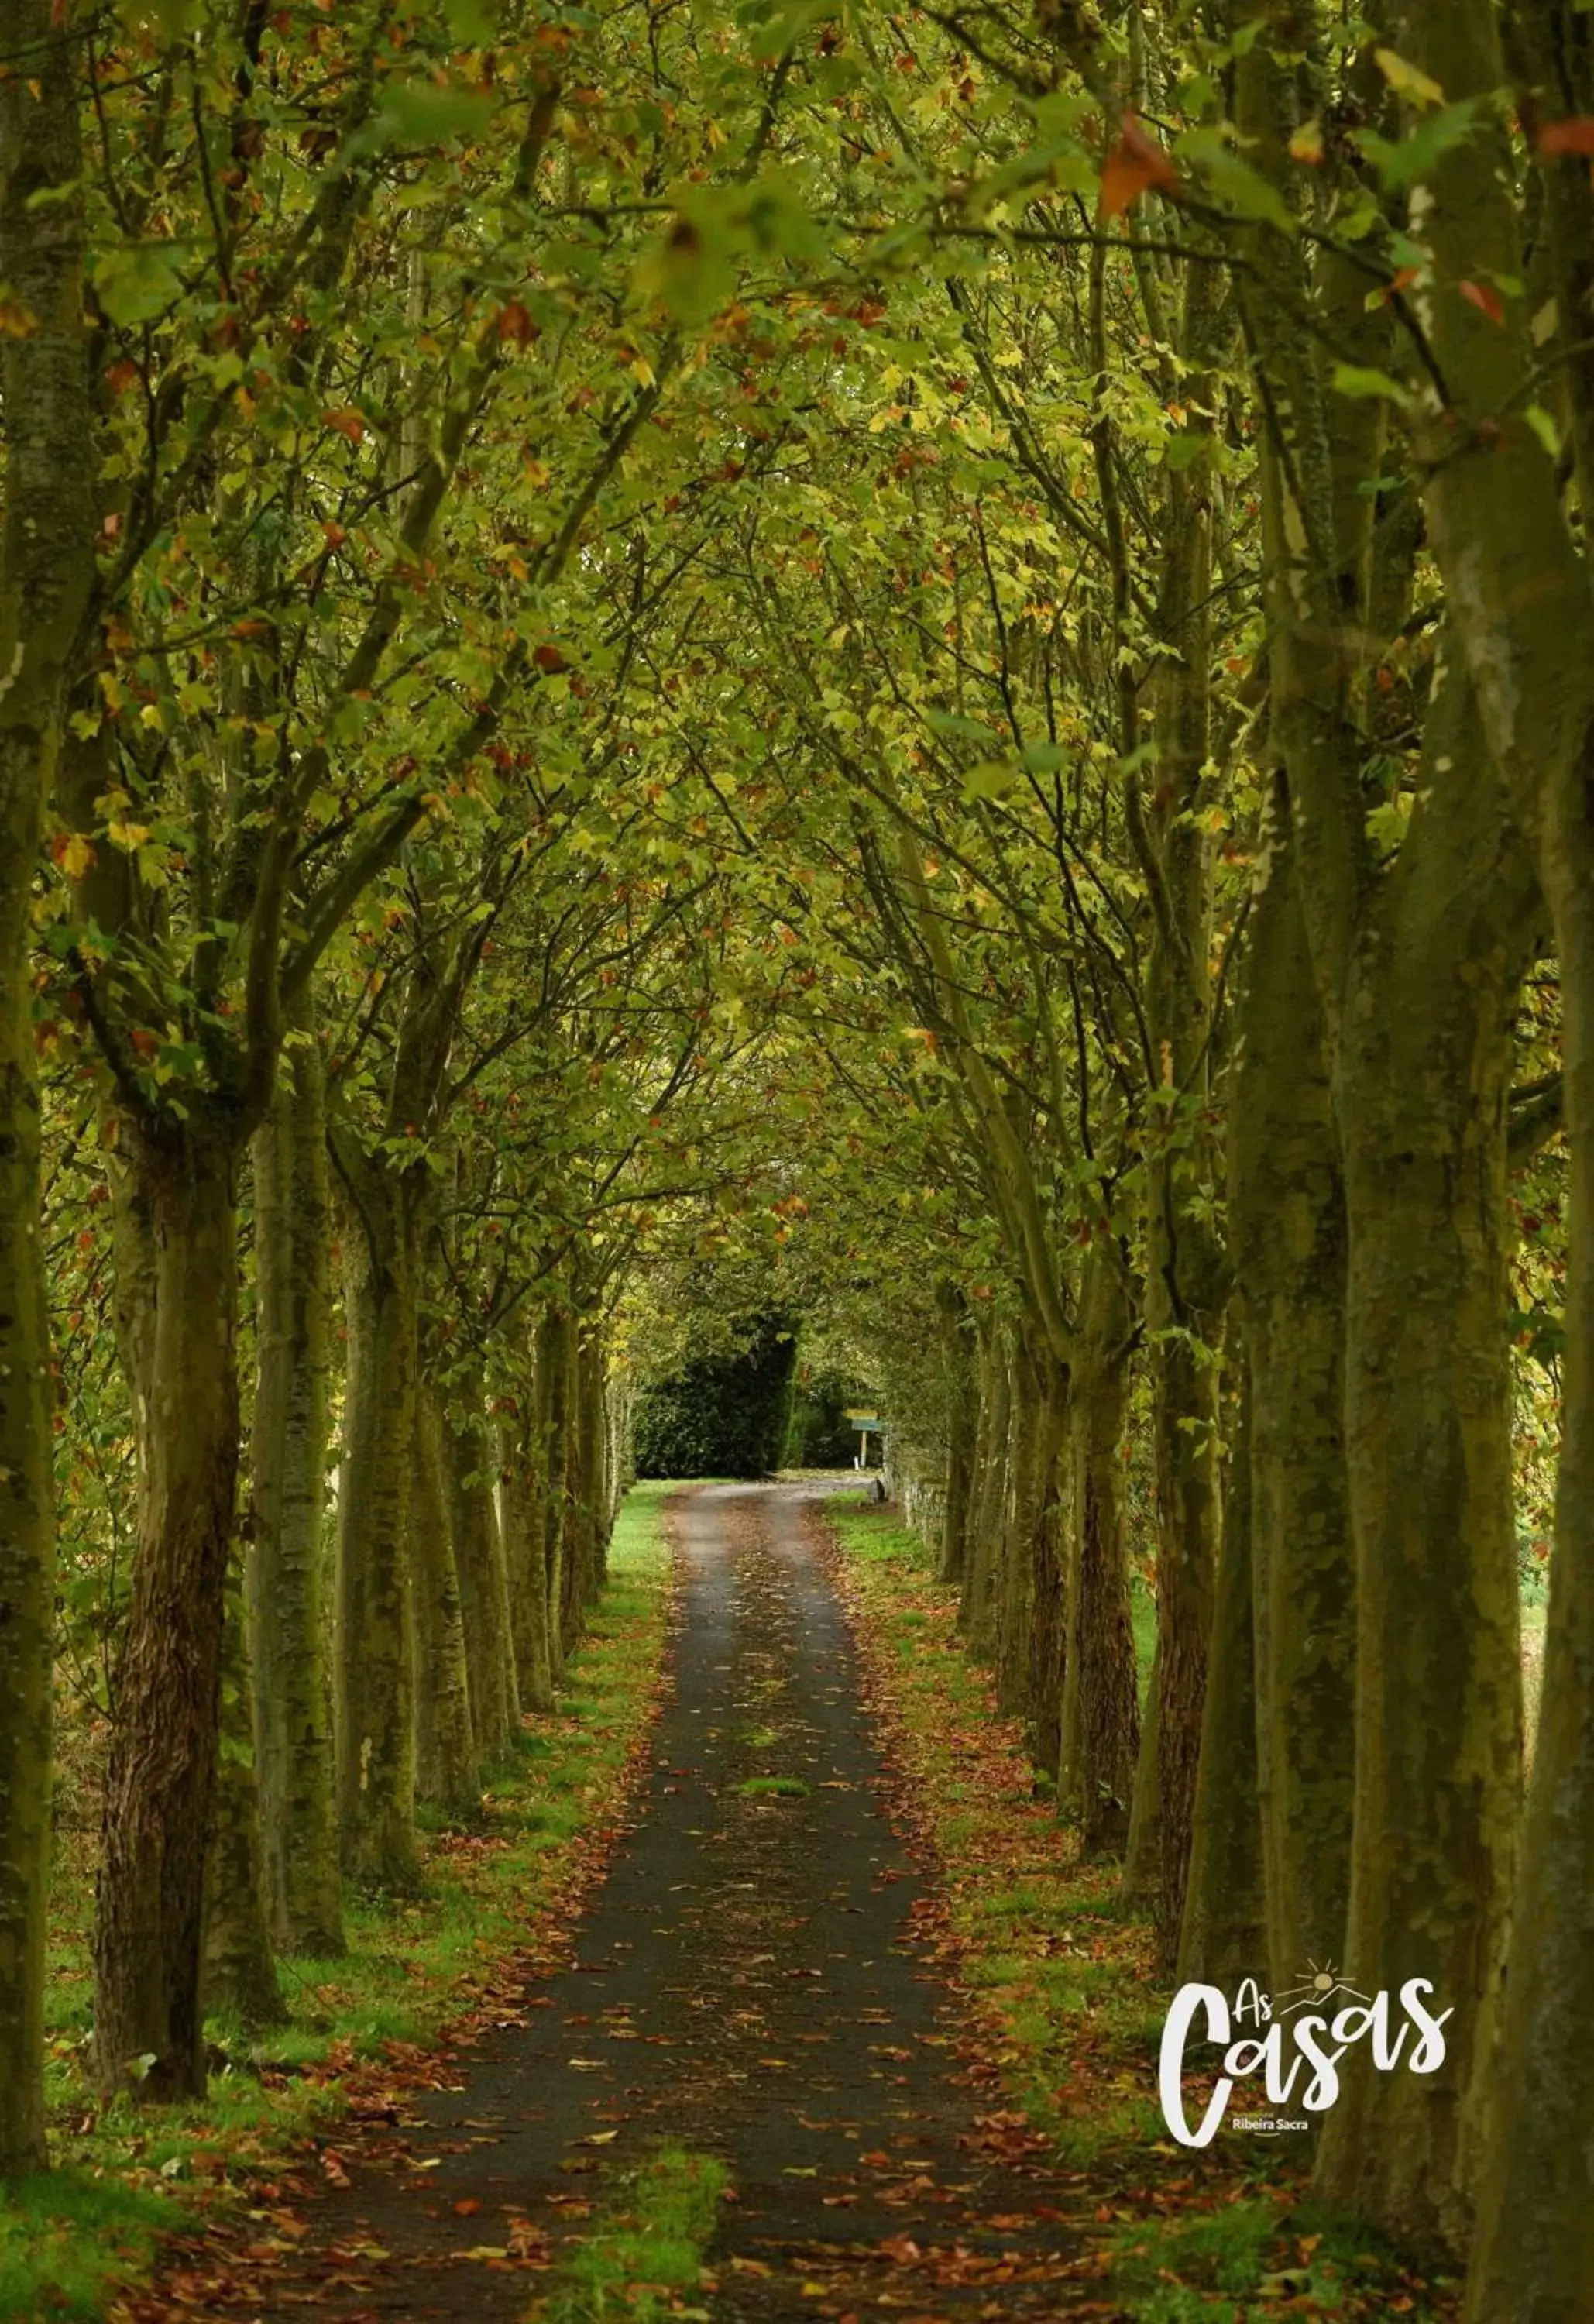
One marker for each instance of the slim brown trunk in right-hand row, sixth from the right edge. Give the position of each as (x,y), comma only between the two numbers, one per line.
(1103,1721)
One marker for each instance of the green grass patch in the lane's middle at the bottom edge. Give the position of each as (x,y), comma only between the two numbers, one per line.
(647,2253)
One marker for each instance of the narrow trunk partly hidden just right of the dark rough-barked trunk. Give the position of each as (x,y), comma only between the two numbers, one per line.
(240,1972)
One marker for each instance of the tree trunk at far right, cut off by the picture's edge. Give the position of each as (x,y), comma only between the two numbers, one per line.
(1518,584)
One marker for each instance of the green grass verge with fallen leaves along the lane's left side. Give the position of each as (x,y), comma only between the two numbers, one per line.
(410,1970)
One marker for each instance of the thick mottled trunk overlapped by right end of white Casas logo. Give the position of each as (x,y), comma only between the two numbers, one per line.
(1428,1442)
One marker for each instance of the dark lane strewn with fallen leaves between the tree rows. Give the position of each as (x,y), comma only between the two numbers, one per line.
(747,1984)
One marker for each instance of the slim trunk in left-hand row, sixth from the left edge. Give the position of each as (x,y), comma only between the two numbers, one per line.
(447,1770)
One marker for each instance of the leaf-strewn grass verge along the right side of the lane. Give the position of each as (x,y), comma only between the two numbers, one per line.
(1063,1979)
